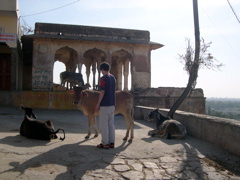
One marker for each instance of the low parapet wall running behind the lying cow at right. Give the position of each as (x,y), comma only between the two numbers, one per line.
(220,131)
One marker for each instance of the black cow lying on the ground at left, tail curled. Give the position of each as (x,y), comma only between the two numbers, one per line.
(35,129)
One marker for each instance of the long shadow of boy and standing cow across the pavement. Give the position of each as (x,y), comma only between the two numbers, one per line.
(77,159)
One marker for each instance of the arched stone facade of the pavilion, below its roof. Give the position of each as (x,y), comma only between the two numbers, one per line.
(44,59)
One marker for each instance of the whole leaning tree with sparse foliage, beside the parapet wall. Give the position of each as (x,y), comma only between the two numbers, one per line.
(193,60)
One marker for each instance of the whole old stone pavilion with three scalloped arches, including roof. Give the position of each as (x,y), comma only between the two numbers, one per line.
(76,45)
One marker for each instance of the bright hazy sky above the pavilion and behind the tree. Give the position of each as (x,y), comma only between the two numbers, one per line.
(170,22)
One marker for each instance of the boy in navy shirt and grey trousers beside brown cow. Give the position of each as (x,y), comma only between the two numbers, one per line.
(106,107)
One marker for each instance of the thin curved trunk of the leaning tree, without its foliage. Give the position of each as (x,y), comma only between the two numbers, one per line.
(194,69)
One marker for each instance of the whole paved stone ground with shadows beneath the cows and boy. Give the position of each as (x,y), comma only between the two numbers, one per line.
(77,158)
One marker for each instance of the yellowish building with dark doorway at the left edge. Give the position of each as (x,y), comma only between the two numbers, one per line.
(10,48)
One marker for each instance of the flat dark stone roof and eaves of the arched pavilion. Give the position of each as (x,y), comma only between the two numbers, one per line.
(92,33)
